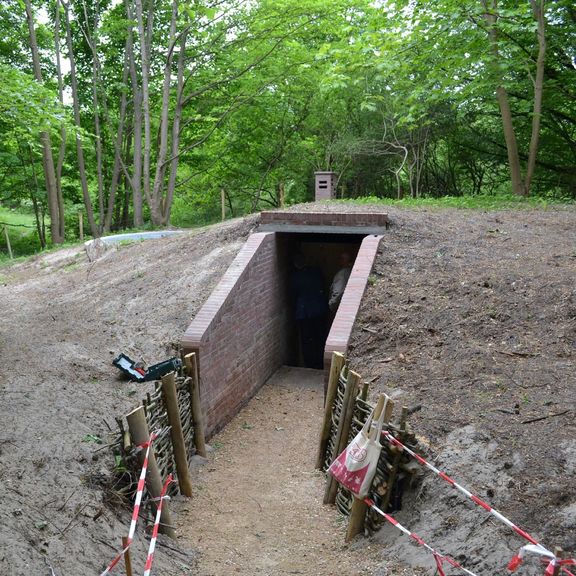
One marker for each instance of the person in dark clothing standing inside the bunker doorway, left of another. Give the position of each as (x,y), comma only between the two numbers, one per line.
(311,309)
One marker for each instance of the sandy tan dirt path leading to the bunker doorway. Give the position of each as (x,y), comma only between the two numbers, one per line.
(258,504)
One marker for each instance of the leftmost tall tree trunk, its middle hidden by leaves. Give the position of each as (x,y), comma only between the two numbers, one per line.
(56,227)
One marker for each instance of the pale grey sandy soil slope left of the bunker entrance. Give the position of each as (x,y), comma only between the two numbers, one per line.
(63,320)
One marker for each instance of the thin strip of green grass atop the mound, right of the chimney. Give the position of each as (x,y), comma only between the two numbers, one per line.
(479,202)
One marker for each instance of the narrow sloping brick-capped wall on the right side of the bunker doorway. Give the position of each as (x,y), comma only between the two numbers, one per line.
(341,330)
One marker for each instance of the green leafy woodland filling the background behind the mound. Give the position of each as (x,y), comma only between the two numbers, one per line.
(150,111)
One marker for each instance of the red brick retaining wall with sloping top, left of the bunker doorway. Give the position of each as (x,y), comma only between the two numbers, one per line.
(241,333)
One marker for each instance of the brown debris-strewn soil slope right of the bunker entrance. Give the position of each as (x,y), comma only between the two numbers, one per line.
(472,316)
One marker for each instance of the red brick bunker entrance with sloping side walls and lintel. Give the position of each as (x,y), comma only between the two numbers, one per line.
(246,330)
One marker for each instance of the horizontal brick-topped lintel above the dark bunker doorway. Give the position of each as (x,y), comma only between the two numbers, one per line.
(350,219)
